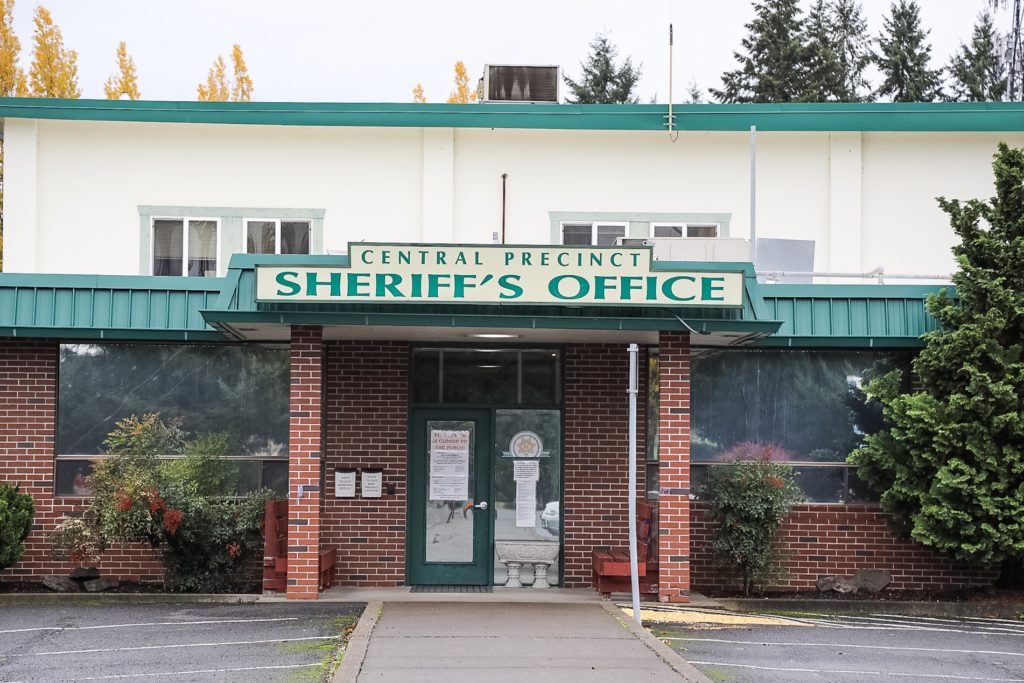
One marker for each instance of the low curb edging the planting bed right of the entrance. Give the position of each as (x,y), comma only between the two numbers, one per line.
(1012,611)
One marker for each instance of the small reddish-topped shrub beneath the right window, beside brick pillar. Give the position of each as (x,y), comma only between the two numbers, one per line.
(749,501)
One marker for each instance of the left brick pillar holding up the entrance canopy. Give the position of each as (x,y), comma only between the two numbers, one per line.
(305,449)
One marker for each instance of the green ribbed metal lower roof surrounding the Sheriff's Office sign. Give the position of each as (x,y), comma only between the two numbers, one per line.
(129,308)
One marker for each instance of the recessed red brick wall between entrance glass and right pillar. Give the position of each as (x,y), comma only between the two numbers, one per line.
(595,514)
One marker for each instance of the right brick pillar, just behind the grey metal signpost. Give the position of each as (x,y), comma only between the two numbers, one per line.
(674,469)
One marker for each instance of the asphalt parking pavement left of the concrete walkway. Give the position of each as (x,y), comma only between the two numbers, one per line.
(173,643)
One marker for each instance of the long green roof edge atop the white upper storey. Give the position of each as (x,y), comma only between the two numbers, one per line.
(964,117)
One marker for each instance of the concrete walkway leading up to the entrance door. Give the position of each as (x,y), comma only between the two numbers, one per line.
(495,643)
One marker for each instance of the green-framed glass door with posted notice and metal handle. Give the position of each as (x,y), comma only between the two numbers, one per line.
(450,534)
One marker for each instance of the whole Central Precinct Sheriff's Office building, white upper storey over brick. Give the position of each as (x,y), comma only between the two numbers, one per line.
(402,313)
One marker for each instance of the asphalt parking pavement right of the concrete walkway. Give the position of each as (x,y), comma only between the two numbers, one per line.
(851,650)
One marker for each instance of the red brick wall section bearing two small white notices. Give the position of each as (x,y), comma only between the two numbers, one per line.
(367,426)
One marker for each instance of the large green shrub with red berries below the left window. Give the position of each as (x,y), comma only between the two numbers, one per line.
(186,508)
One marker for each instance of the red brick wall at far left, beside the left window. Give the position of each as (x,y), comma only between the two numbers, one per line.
(28,418)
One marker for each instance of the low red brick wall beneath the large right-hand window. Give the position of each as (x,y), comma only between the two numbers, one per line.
(838,540)
